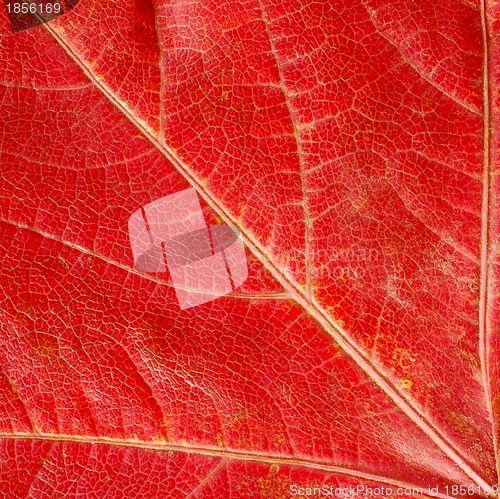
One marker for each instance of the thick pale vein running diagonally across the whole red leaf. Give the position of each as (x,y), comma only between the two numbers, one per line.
(296,292)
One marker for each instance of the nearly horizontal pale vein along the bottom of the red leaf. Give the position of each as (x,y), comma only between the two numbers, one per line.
(226,455)
